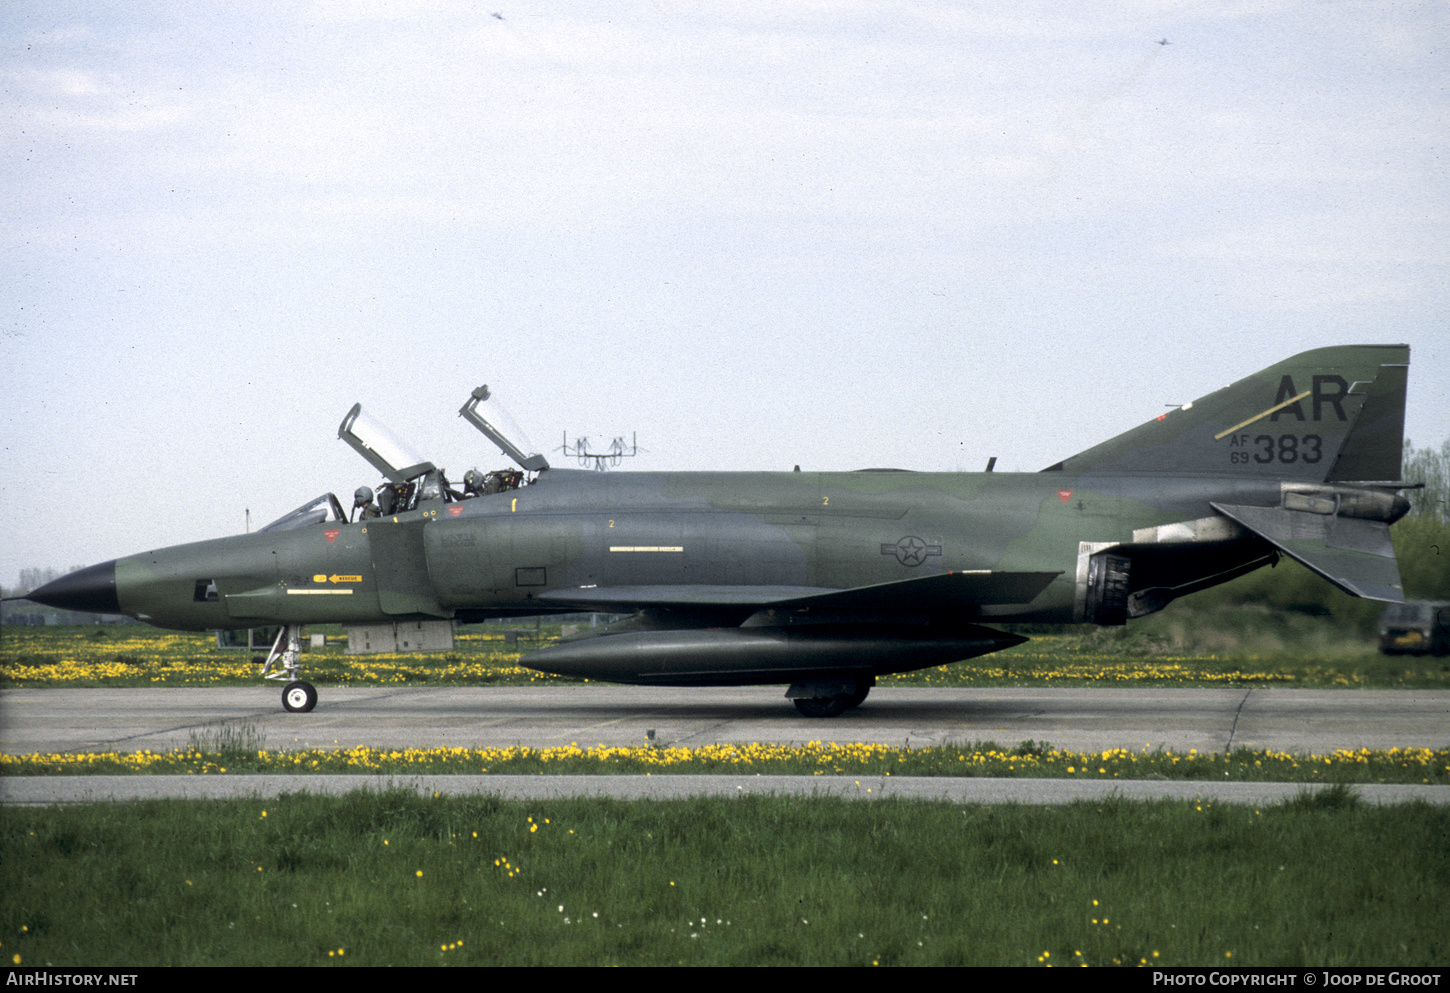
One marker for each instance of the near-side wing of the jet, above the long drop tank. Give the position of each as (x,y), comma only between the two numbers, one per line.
(946,591)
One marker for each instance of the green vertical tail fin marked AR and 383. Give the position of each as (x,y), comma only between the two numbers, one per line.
(1330,414)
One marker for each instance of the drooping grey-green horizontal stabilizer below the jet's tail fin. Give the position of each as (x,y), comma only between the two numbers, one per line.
(1351,553)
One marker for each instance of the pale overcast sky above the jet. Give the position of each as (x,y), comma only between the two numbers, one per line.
(758,234)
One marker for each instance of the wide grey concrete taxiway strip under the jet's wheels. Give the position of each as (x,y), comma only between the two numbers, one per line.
(1081,720)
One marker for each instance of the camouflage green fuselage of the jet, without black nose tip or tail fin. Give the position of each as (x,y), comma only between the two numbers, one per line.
(550,547)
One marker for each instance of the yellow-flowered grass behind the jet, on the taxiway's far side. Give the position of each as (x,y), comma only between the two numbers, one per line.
(1201,649)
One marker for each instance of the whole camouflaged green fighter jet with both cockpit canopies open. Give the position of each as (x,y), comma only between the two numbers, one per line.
(817,581)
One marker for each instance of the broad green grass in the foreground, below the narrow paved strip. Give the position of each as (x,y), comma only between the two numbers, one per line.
(407,881)
